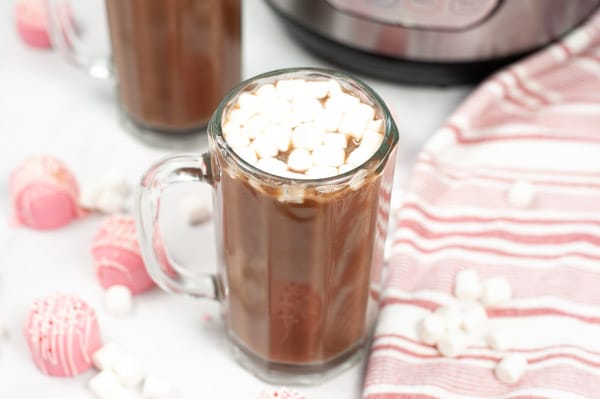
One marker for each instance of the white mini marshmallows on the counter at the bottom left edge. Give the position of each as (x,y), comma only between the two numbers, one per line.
(121,374)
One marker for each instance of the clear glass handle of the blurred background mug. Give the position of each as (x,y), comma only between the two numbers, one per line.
(79,31)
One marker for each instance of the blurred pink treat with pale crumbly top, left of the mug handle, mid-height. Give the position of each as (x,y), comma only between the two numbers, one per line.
(44,193)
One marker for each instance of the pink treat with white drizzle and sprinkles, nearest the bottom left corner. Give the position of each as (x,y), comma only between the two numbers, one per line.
(62,334)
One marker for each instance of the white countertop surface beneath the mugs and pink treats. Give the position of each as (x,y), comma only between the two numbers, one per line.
(47,106)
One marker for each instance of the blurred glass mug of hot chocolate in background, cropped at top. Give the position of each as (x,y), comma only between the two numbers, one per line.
(173,60)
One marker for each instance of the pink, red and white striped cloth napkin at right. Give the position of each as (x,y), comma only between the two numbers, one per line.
(537,121)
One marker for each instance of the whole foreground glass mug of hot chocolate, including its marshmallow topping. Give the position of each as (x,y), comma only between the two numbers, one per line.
(300,248)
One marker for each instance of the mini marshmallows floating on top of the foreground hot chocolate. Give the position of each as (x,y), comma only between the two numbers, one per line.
(303,129)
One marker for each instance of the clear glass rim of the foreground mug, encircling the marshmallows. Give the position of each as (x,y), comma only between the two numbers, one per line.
(381,155)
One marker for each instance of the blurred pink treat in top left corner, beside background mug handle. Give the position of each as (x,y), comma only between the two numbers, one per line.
(32,22)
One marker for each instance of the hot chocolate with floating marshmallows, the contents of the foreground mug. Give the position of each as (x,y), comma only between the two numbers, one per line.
(298,256)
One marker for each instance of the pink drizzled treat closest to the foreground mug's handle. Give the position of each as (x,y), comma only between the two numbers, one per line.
(117,256)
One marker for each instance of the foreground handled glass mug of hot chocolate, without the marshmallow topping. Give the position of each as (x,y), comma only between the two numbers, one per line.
(298,275)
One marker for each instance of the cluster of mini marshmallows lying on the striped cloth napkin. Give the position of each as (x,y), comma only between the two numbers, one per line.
(450,328)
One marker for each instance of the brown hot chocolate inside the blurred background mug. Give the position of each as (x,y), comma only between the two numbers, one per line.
(174,60)
